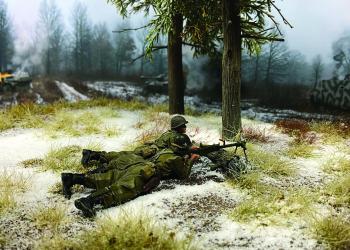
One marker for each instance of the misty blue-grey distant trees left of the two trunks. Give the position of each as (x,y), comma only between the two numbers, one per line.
(84,50)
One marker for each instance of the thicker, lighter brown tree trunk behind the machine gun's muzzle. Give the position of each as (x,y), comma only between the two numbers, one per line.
(231,69)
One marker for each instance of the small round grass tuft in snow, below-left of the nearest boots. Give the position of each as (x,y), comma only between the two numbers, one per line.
(49,217)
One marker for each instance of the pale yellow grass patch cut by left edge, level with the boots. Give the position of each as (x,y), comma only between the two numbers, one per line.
(11,184)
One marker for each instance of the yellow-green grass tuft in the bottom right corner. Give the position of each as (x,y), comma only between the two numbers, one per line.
(333,231)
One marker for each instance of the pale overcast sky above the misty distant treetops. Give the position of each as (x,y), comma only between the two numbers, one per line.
(317,23)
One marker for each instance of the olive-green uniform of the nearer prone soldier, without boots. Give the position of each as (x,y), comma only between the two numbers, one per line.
(127,181)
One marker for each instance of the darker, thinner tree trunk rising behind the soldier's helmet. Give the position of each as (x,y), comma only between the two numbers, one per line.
(175,75)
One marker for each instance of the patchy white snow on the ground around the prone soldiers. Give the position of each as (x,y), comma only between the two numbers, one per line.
(200,209)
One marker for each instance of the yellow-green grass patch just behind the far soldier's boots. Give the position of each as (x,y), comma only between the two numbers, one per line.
(66,158)
